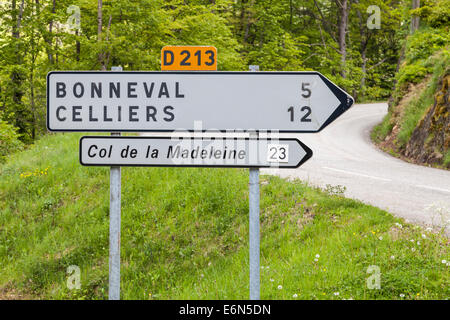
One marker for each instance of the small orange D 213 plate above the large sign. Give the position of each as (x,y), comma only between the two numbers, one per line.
(189,58)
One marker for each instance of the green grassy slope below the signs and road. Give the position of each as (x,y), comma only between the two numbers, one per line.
(185,235)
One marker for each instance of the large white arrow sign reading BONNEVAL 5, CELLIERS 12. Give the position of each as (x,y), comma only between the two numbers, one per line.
(207,101)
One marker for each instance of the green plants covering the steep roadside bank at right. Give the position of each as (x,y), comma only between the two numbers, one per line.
(426,54)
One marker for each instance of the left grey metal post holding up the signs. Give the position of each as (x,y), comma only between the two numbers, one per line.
(114,226)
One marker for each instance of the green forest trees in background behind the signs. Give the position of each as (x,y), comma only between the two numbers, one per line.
(358,44)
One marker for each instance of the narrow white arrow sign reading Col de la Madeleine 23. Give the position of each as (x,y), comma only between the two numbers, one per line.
(192,152)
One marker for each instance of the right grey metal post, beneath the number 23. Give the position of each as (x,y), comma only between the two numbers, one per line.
(254,239)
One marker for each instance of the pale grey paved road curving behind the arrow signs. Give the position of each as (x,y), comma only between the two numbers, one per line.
(344,155)
